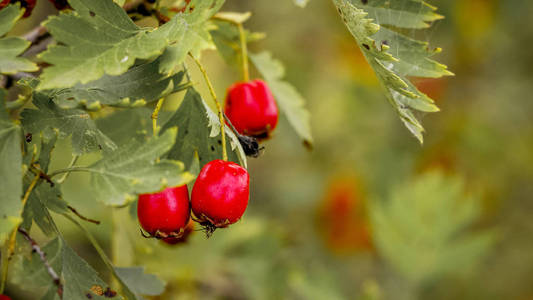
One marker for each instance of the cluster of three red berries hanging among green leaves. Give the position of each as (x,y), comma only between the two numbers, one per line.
(220,194)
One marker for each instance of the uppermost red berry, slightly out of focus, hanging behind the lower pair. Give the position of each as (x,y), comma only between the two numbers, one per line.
(251,108)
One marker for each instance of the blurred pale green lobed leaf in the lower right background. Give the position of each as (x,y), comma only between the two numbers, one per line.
(423,228)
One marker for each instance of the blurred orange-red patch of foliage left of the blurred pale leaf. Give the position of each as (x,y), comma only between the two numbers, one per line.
(342,219)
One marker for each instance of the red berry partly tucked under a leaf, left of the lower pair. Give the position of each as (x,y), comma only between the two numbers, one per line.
(164,213)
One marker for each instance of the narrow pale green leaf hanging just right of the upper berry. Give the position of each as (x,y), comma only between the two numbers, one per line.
(289,100)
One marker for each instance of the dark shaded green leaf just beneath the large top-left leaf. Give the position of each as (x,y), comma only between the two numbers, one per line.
(139,85)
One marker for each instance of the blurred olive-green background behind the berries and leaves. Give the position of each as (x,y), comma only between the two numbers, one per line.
(369,213)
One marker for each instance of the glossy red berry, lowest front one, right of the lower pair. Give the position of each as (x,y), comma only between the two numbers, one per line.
(220,194)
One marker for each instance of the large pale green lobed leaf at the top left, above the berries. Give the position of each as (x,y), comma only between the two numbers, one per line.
(99,38)
